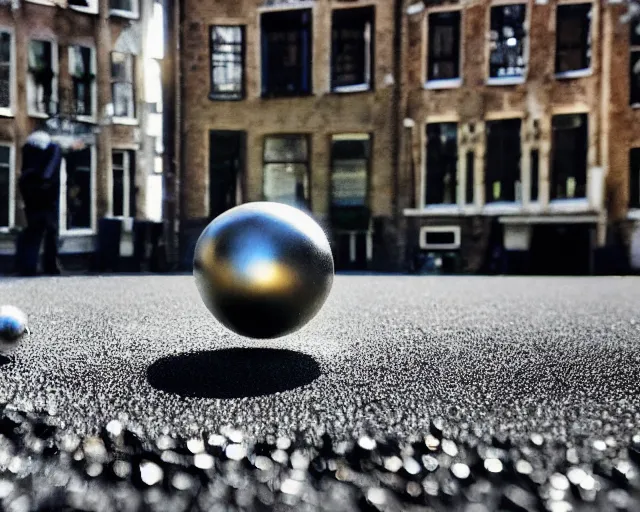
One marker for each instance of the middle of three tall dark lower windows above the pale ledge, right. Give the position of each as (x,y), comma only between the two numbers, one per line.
(502,164)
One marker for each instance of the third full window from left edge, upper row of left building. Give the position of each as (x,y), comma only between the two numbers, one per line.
(82,71)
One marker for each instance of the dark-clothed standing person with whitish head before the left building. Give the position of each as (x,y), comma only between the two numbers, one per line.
(40,189)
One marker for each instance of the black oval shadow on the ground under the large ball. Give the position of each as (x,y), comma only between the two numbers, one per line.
(233,373)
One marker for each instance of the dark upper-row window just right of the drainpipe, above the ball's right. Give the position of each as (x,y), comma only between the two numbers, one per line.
(444,46)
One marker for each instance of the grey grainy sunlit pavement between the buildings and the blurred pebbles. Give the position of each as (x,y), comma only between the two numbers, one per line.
(504,359)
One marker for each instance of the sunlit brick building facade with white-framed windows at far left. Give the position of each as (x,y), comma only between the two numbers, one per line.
(80,64)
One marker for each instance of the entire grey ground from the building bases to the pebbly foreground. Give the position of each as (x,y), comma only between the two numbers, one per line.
(405,393)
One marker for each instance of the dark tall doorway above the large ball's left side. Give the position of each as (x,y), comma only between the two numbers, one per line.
(226,170)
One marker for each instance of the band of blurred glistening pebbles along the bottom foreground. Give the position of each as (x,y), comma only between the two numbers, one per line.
(43,468)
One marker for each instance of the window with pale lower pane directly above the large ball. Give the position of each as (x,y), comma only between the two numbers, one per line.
(286,170)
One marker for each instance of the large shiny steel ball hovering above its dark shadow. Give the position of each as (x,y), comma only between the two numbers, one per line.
(263,269)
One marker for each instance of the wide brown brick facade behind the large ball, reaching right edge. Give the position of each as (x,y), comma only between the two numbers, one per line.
(481,135)
